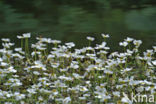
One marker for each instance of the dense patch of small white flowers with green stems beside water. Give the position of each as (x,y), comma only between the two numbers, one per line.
(53,73)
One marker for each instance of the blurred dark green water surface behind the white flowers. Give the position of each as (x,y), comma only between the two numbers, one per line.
(73,21)
